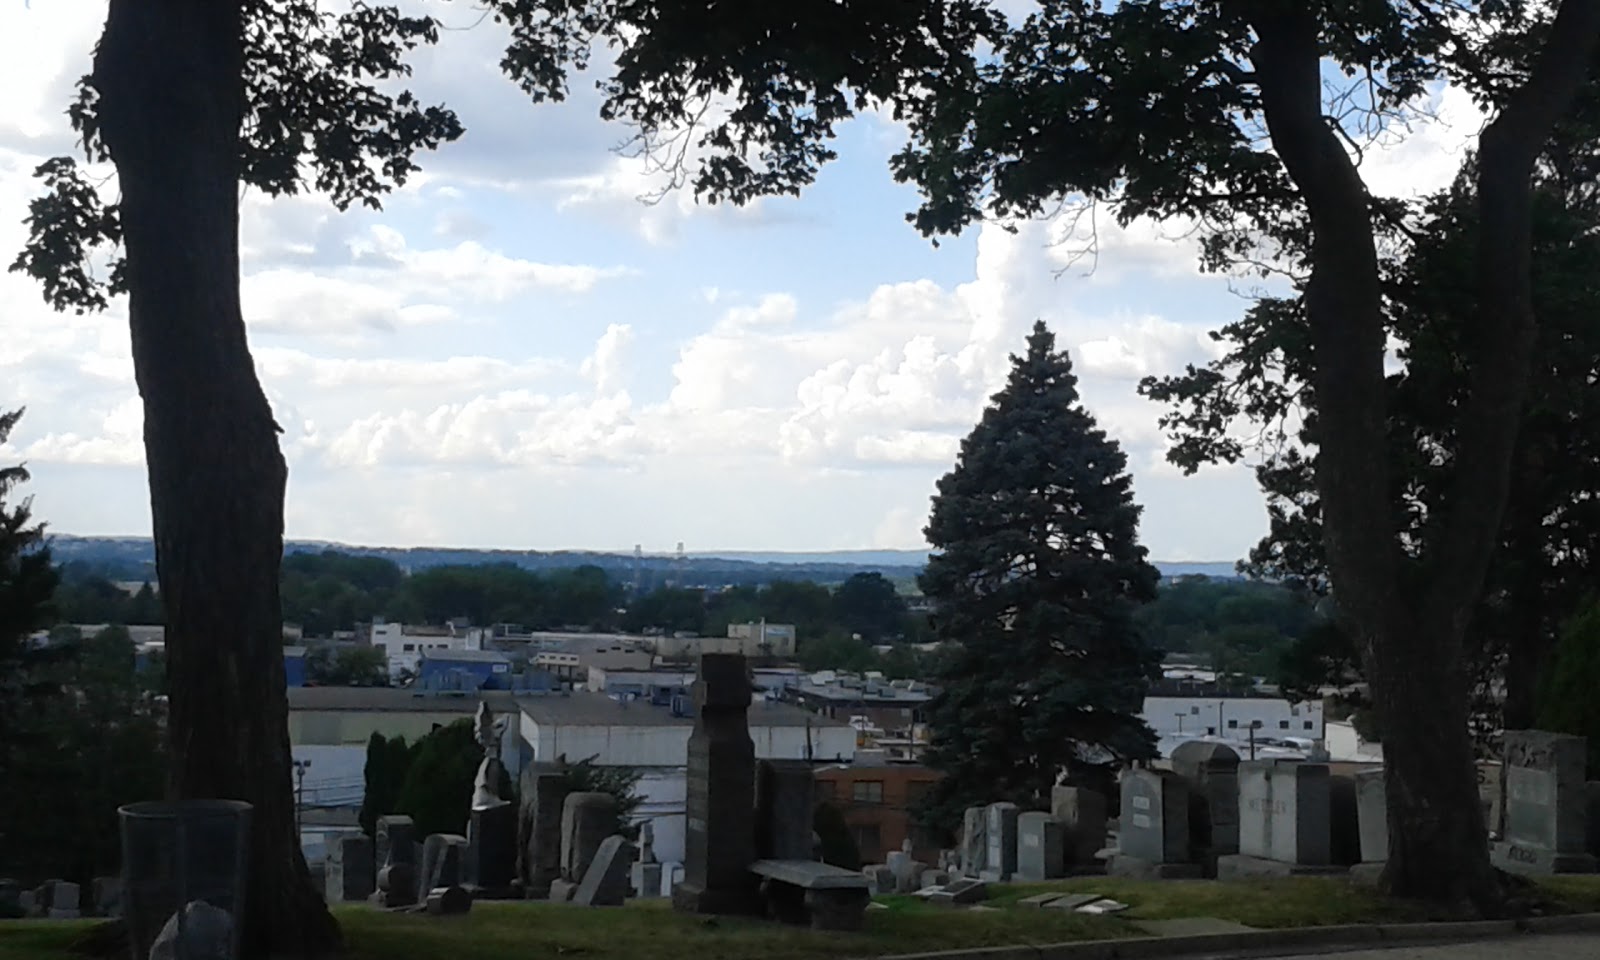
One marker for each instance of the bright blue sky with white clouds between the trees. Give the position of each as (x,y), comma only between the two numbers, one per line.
(519,353)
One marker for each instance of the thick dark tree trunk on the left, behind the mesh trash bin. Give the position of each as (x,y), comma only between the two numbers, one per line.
(172,100)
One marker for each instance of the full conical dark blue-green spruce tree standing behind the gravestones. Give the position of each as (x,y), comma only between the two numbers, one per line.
(1036,575)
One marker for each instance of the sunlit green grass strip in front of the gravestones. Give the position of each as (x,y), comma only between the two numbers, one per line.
(514,932)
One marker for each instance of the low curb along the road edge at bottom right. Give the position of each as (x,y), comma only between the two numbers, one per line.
(1258,942)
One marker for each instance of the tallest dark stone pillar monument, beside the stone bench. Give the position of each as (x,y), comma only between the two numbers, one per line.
(719,838)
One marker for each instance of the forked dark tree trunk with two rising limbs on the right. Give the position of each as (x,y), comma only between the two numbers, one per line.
(1412,639)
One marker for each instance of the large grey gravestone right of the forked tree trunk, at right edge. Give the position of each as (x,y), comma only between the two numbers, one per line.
(1546,806)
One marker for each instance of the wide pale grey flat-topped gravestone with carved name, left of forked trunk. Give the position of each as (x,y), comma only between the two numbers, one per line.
(1284,822)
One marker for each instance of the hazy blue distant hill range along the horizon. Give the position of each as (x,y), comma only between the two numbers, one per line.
(132,559)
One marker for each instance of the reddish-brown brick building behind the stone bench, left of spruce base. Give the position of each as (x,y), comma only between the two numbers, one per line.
(878,802)
